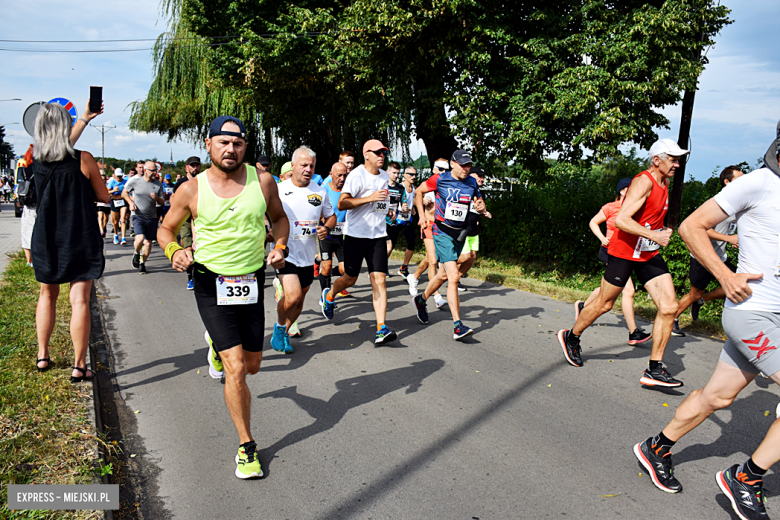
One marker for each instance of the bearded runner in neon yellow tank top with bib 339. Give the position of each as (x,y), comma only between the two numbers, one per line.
(228,204)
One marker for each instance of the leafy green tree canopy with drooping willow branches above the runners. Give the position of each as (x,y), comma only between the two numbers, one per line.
(518,82)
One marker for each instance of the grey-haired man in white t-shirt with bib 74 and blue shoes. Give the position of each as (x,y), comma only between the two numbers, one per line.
(305,203)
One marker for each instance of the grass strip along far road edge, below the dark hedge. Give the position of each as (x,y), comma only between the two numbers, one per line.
(548,281)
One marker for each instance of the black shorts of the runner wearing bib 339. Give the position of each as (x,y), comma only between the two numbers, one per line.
(229,325)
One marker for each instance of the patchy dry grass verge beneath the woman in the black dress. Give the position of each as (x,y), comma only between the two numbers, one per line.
(46,432)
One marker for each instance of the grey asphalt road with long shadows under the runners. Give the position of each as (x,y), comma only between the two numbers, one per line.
(496,427)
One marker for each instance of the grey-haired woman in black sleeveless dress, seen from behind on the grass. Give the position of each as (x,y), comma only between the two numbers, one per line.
(66,244)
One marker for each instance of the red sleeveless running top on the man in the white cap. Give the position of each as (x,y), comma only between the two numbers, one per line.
(651,215)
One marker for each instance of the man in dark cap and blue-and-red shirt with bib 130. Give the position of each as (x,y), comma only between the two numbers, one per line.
(456,192)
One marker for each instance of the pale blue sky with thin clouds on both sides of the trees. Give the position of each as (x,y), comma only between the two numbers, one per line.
(736,110)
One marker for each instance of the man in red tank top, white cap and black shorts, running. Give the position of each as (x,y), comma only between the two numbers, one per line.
(634,248)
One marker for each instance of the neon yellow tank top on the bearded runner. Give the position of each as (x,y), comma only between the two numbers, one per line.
(229,234)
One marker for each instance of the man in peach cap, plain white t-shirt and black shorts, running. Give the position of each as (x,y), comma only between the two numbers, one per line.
(365,196)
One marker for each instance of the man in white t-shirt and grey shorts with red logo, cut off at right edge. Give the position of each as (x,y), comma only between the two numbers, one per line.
(751,319)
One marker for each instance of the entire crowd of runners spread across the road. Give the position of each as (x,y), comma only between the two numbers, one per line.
(235,219)
